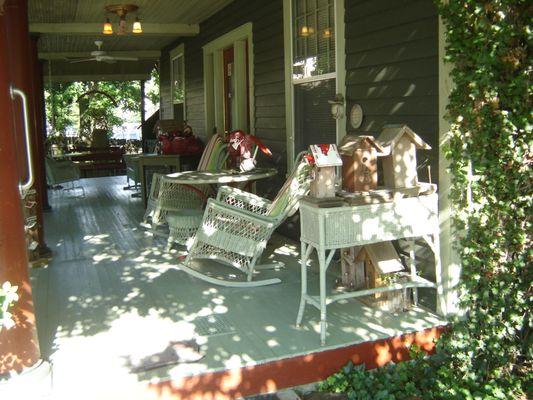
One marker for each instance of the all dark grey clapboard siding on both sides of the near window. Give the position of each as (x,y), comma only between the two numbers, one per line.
(391,71)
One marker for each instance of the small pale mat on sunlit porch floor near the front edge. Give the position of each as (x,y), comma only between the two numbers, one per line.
(186,351)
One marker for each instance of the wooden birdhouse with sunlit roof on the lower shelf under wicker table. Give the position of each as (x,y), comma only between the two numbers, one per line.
(379,260)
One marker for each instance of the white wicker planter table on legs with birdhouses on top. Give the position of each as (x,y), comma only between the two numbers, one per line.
(328,229)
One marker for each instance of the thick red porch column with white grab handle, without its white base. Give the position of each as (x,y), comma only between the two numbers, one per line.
(19,348)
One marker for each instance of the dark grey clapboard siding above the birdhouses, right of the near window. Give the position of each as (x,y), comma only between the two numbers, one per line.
(392,68)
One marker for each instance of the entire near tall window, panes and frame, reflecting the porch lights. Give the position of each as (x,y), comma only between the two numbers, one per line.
(315,71)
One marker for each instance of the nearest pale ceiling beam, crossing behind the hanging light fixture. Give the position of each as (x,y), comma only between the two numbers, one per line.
(172,30)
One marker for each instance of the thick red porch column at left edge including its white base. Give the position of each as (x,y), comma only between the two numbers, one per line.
(20,357)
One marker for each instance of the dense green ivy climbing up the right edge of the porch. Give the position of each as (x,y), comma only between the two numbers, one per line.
(487,353)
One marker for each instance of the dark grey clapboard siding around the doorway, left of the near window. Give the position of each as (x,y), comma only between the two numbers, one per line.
(268,69)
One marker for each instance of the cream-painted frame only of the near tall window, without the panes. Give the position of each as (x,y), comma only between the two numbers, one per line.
(339,74)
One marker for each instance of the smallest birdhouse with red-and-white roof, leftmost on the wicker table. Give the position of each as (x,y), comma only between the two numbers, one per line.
(326,158)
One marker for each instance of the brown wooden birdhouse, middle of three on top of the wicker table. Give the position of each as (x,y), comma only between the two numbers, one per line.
(359,163)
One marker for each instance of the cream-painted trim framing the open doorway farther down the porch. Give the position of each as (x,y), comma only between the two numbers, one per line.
(214,89)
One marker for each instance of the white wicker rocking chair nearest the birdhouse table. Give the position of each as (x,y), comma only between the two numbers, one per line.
(236,226)
